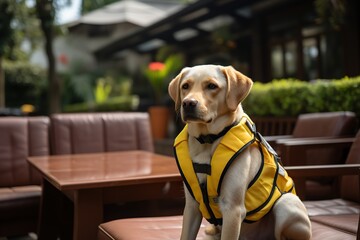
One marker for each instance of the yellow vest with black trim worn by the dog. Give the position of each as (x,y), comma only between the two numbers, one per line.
(269,184)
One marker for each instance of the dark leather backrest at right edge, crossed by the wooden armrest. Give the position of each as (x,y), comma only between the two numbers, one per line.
(350,184)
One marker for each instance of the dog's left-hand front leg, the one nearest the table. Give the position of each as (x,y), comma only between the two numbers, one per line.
(191,219)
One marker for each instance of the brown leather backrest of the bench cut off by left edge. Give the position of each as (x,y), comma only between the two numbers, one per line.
(21,137)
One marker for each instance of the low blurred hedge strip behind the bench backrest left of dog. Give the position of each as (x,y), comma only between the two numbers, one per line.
(121,103)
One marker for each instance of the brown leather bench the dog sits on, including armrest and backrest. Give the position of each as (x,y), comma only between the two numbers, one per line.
(331,219)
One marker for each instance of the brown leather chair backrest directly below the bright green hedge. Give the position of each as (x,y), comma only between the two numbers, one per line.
(330,124)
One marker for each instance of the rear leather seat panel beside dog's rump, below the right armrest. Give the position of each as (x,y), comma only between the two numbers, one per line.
(331,207)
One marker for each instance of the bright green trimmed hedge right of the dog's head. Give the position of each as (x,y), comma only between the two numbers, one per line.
(291,97)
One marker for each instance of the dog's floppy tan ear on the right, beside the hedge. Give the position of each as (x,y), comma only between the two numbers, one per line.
(239,87)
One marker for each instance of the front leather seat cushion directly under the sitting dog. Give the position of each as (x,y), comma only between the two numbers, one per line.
(324,227)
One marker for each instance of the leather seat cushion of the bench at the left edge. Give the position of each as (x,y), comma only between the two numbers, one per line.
(19,202)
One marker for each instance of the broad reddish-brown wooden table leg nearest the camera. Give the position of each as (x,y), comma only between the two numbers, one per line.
(88,213)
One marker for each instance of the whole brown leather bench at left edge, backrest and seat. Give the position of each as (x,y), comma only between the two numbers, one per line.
(20,189)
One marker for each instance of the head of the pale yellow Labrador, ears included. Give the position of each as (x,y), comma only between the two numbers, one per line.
(203,93)
